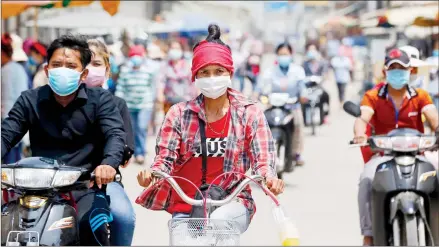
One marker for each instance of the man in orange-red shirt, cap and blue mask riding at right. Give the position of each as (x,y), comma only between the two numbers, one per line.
(389,106)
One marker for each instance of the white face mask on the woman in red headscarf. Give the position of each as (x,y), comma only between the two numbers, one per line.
(213,87)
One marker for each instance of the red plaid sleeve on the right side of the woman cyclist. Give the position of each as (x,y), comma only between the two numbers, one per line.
(261,152)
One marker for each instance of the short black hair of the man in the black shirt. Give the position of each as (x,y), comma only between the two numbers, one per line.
(74,42)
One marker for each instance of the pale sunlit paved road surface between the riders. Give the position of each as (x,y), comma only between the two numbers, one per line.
(321,196)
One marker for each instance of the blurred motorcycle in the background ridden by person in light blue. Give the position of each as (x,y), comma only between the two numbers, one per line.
(280,120)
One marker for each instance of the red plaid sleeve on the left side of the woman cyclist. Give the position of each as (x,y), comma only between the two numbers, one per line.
(168,141)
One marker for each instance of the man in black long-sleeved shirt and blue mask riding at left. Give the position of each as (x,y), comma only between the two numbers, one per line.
(63,119)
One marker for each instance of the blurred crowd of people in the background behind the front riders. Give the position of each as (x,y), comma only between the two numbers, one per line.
(165,74)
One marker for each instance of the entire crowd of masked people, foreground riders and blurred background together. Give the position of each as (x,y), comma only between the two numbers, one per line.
(82,108)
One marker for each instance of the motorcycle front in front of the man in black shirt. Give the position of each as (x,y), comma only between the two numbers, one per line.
(44,213)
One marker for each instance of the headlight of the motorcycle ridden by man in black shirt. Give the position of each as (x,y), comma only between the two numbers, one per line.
(33,178)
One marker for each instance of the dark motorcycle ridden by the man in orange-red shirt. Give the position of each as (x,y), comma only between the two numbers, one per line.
(405,196)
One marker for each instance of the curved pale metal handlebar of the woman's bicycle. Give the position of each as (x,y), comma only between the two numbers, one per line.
(193,202)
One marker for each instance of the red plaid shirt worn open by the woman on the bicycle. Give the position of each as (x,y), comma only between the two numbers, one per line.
(250,144)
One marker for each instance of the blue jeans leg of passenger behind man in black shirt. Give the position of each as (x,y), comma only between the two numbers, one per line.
(124,218)
